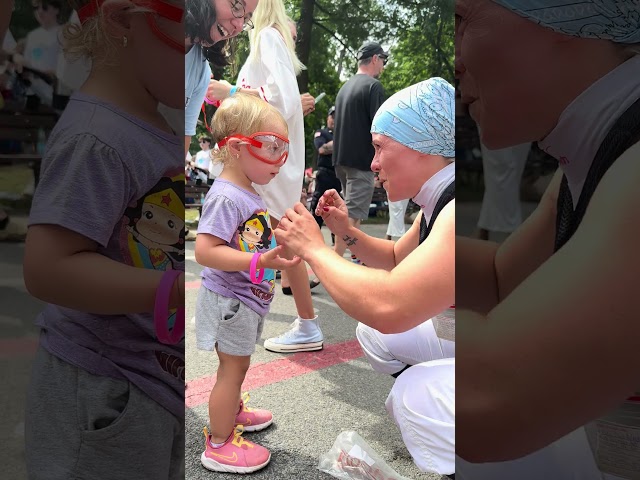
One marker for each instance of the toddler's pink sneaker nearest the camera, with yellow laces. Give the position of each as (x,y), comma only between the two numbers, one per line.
(236,455)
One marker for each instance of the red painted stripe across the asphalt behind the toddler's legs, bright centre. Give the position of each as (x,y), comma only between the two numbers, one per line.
(263,374)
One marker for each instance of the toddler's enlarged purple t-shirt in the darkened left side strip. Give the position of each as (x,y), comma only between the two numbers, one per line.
(120,182)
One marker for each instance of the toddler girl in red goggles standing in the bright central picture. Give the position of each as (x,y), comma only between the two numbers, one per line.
(237,247)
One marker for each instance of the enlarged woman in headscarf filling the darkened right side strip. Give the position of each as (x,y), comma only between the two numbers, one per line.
(547,323)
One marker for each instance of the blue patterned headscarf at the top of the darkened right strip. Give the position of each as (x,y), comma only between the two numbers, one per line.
(615,20)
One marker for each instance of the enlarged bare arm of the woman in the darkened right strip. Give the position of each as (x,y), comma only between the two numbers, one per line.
(561,349)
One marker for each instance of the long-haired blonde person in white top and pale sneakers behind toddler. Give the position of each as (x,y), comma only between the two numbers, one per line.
(270,73)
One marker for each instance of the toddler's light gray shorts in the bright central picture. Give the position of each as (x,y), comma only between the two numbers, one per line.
(228,322)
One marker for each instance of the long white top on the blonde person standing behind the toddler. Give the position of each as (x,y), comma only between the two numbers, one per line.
(273,74)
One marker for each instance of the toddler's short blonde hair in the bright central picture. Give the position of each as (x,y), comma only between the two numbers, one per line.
(242,114)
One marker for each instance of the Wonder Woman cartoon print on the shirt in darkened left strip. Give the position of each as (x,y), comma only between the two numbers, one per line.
(153,237)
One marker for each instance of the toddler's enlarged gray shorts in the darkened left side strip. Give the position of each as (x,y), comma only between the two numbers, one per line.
(84,426)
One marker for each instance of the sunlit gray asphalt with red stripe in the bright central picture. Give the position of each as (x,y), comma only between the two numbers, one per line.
(314,396)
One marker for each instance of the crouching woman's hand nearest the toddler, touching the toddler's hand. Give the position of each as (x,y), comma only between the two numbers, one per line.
(299,231)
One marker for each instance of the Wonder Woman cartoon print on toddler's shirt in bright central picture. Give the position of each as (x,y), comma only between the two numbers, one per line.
(255,235)
